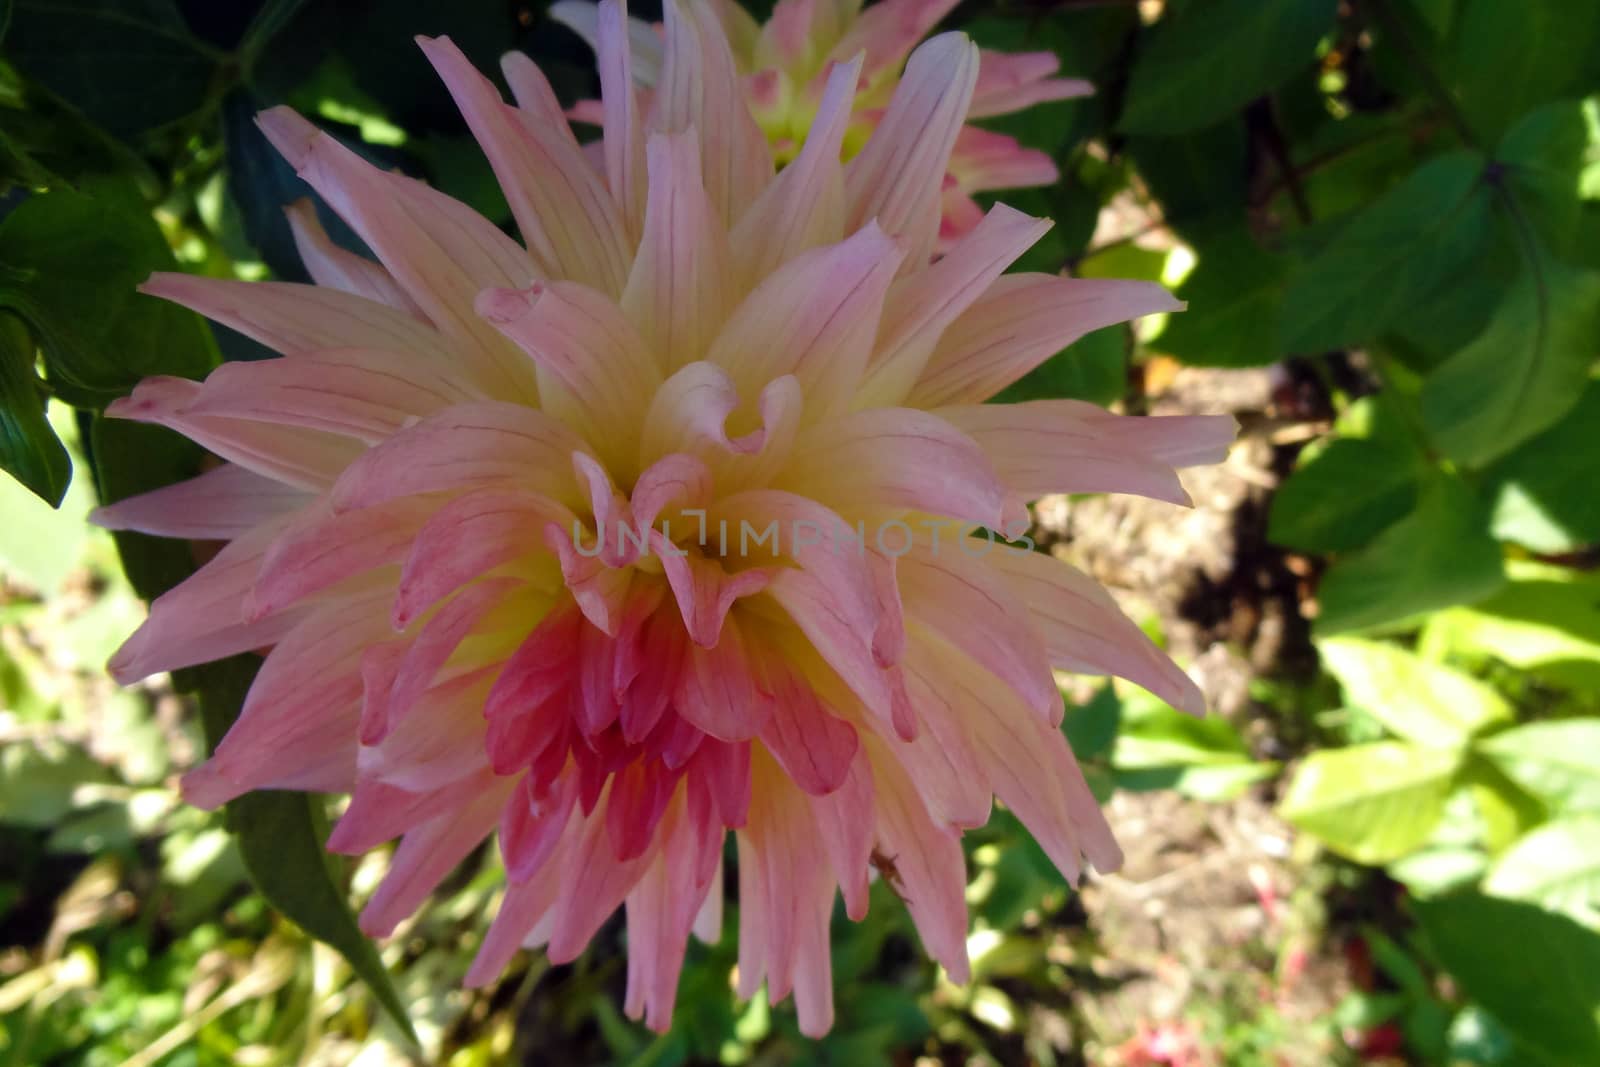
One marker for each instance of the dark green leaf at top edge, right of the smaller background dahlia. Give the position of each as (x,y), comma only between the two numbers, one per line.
(1214,58)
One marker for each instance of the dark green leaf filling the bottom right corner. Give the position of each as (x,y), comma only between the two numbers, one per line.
(1538,973)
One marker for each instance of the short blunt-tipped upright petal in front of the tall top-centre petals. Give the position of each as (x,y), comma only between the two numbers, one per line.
(679,292)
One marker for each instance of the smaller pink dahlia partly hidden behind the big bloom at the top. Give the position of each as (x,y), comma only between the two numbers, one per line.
(785,68)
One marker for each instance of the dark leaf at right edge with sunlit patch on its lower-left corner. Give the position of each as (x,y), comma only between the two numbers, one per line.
(1545,492)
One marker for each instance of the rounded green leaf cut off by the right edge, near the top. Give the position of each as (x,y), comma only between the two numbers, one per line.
(1545,158)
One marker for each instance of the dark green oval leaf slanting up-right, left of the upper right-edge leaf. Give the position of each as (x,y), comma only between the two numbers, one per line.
(1391,257)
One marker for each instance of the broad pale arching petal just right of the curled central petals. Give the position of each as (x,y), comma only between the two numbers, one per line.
(897,458)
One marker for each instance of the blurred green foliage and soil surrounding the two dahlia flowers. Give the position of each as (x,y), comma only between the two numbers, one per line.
(1386,220)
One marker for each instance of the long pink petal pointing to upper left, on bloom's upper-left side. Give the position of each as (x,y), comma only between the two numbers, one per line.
(439,249)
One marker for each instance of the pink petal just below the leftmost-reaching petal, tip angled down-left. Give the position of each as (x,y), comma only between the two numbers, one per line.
(202,618)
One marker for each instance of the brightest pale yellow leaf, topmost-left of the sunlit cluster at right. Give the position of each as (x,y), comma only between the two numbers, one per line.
(1415,700)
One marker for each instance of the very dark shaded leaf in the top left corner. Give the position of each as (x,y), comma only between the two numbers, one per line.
(129,65)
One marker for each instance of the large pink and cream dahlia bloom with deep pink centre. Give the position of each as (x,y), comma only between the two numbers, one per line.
(657,526)
